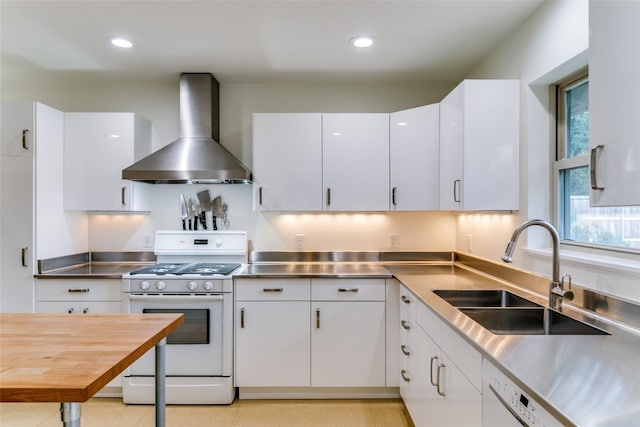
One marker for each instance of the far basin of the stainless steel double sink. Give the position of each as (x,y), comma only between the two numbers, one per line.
(483,298)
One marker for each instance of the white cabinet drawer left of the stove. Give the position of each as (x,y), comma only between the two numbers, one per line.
(78,290)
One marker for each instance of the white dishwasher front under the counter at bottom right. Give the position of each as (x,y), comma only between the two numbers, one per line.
(504,404)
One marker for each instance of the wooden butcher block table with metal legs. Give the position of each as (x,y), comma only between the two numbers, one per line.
(68,358)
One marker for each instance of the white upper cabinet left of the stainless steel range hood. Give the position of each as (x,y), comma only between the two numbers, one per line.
(97,147)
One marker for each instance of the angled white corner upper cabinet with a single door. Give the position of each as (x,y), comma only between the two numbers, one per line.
(415,162)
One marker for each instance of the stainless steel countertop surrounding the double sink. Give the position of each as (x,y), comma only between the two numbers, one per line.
(585,380)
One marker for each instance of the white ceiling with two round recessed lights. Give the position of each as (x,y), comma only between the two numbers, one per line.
(255,41)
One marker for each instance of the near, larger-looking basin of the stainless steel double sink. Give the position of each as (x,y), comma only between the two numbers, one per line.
(529,321)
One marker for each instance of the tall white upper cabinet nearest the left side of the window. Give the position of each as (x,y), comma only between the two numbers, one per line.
(479,140)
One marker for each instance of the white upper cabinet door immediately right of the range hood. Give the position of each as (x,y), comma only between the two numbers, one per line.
(287,167)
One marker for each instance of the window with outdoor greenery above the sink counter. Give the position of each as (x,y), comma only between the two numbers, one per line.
(577,221)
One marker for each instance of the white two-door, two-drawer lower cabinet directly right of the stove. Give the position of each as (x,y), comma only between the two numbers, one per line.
(310,333)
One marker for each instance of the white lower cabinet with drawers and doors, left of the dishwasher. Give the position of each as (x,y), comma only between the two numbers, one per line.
(441,374)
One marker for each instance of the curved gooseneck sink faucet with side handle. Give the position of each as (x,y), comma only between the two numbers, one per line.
(556,288)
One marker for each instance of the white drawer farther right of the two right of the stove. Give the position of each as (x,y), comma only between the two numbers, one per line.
(348,289)
